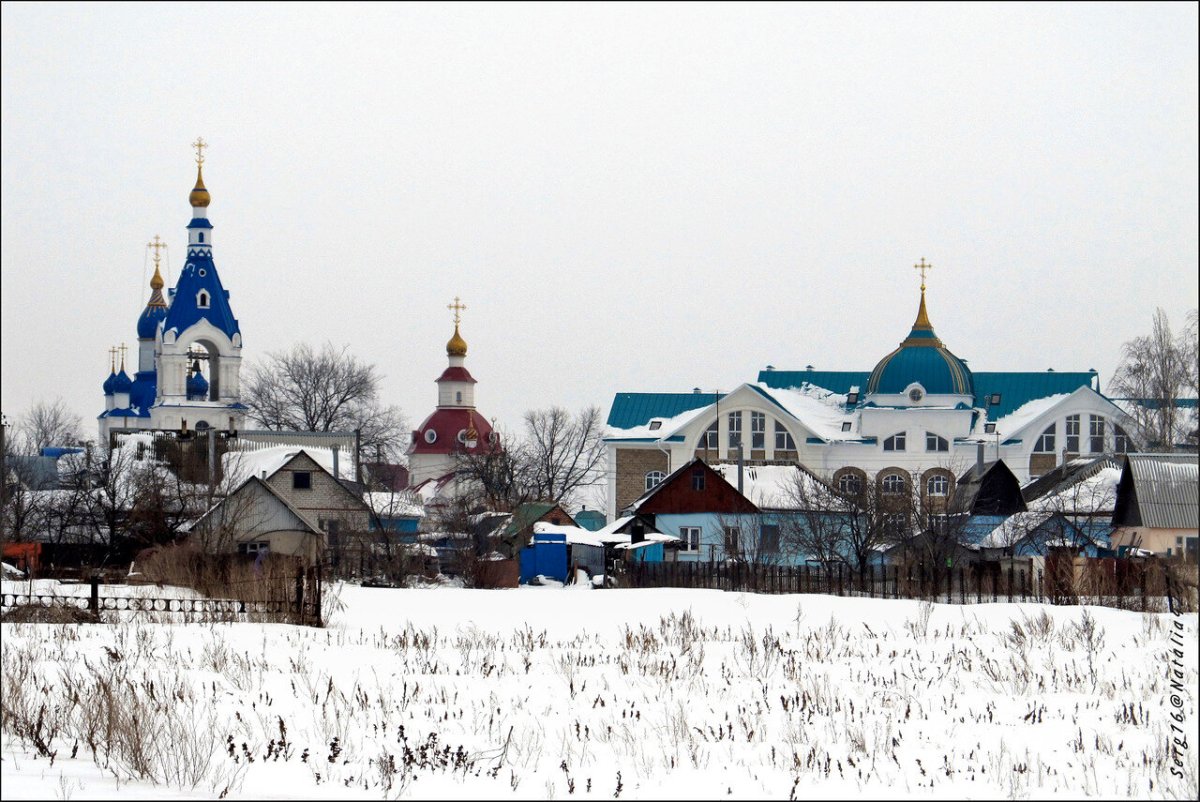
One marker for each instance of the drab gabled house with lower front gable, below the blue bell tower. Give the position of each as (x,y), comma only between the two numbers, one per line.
(298,511)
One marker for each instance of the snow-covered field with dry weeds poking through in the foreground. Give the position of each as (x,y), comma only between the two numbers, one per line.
(561,693)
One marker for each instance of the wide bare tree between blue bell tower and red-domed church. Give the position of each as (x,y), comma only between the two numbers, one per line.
(329,391)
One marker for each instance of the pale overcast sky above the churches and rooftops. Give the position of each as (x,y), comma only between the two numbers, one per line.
(626,197)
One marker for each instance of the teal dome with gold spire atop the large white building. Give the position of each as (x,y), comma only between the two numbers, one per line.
(922,360)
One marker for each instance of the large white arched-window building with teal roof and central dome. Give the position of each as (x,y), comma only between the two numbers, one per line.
(920,416)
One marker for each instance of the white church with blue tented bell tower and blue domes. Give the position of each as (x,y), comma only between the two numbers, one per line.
(189,355)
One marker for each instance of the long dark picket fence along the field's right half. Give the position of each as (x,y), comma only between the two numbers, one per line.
(1139,586)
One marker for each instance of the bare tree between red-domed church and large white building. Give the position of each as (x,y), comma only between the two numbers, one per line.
(562,453)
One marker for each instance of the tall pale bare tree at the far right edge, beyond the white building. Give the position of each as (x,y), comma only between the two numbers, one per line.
(1156,372)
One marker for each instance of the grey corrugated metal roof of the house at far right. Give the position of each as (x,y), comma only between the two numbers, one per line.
(1168,489)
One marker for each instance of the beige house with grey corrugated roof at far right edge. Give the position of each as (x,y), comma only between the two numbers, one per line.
(1159,505)
